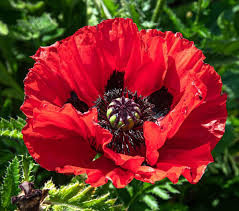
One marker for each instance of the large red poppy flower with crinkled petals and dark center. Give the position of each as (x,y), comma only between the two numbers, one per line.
(117,103)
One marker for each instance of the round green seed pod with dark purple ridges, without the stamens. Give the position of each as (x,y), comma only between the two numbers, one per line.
(123,113)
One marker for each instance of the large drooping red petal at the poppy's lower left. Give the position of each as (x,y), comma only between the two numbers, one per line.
(59,139)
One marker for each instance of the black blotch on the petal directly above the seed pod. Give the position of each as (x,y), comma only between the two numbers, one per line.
(116,81)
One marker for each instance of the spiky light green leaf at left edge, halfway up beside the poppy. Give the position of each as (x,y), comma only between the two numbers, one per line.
(11,128)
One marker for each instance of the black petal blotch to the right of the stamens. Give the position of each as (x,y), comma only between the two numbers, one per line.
(162,100)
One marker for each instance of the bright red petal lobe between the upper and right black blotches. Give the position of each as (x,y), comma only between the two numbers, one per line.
(147,66)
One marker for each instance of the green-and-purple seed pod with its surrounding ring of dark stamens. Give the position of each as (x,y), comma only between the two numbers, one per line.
(123,114)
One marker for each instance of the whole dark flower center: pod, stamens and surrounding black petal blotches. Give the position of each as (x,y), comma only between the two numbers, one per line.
(123,113)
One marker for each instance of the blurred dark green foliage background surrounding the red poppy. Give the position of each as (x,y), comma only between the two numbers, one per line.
(214,27)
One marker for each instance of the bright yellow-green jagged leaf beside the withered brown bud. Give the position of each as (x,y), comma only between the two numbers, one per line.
(78,196)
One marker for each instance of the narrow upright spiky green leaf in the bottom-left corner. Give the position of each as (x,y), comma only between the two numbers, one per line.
(10,184)
